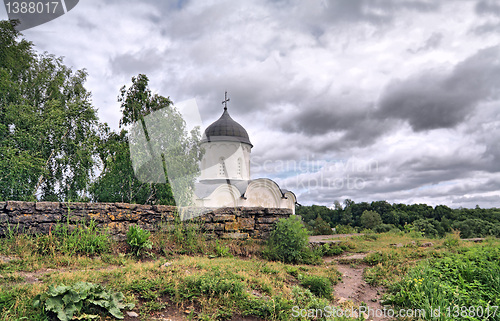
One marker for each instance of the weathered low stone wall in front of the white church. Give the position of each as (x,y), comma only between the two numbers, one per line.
(41,217)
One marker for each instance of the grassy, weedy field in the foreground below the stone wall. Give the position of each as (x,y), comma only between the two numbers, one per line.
(189,277)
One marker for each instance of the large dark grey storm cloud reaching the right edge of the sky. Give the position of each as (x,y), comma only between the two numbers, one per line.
(443,100)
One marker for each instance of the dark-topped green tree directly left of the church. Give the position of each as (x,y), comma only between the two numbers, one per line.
(165,135)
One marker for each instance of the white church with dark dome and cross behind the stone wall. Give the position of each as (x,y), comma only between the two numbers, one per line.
(225,171)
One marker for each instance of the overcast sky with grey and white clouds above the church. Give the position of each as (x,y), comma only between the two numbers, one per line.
(368,100)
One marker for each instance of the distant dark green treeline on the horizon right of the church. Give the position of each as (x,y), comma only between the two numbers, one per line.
(380,216)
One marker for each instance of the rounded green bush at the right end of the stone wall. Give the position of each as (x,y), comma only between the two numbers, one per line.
(288,242)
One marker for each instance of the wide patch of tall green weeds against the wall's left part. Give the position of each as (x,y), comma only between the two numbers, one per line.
(82,239)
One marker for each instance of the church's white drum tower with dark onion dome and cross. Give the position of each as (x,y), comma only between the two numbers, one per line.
(227,150)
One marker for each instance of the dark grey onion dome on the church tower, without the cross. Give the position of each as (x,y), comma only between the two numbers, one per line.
(224,129)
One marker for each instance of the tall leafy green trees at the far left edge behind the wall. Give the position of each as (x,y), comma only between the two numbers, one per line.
(48,127)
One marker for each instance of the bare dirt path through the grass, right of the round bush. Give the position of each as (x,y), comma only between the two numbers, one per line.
(353,287)
